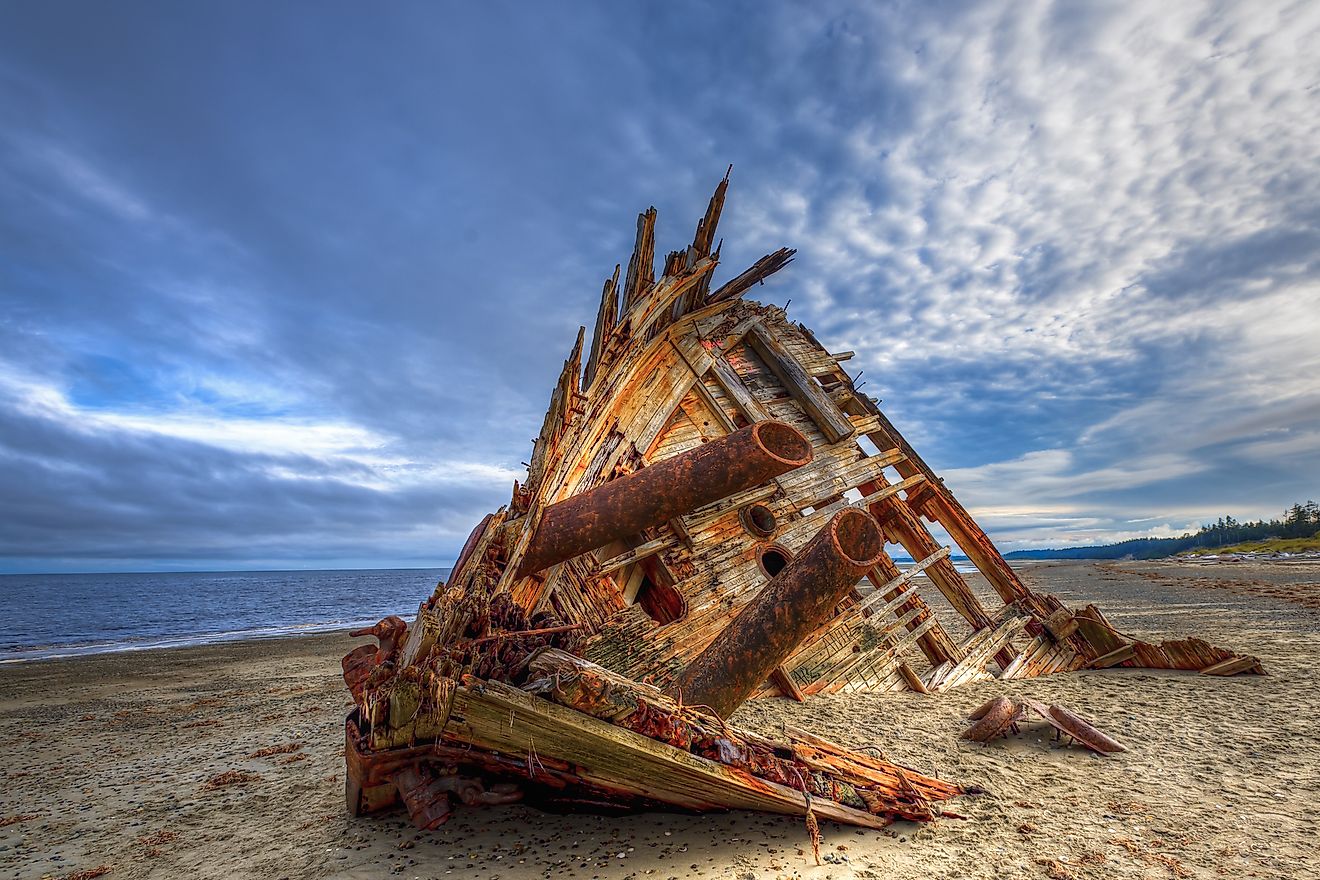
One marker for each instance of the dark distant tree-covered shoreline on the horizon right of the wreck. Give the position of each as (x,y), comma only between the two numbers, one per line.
(1300,522)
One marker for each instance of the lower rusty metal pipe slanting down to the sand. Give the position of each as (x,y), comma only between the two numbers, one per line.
(794,605)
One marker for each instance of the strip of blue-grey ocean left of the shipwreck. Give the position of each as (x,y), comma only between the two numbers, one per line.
(61,615)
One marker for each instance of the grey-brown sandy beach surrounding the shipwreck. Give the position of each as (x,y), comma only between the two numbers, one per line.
(226,762)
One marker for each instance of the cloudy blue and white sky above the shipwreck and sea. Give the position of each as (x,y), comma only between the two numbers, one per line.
(288,286)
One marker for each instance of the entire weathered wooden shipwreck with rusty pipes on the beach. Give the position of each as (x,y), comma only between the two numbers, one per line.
(712,514)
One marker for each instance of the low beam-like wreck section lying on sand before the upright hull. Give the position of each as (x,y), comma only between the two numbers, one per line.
(542,725)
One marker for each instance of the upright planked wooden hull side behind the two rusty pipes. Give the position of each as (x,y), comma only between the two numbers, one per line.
(673,366)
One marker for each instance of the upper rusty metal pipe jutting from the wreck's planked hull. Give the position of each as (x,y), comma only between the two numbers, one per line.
(669,489)
